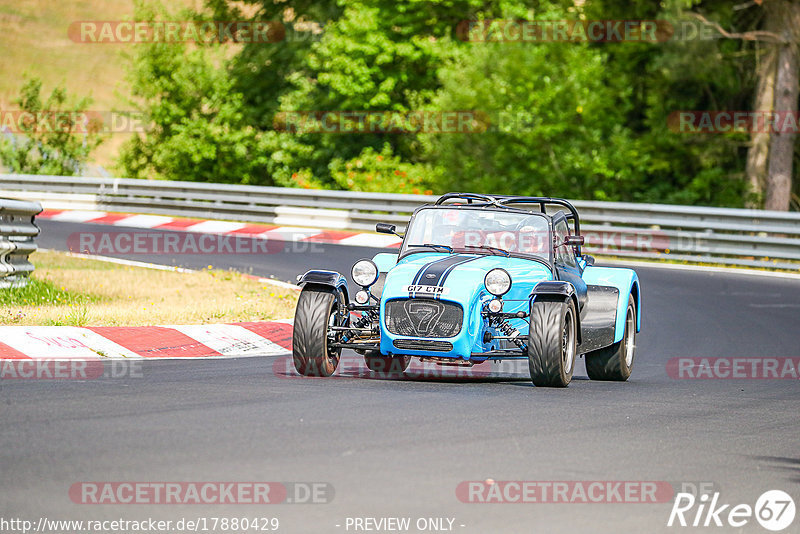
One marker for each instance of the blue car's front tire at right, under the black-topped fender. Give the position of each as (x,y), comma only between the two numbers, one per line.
(552,343)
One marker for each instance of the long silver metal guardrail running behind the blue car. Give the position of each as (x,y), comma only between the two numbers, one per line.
(740,237)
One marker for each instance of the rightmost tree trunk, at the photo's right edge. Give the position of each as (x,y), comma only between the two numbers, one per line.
(781,148)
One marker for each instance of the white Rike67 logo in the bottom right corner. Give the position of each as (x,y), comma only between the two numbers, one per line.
(774,510)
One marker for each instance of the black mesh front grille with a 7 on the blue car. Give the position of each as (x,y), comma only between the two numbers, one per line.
(423,317)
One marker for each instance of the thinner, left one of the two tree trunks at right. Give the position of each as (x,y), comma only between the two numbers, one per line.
(765,97)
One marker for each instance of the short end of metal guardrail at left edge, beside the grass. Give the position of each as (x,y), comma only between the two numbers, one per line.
(17,234)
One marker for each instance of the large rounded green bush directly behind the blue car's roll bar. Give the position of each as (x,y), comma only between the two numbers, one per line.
(557,121)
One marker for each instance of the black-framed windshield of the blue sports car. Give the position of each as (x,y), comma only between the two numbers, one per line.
(474,230)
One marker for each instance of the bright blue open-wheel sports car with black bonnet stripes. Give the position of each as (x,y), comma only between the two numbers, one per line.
(476,278)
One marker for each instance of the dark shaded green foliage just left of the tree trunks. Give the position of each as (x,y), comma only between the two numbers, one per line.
(693,70)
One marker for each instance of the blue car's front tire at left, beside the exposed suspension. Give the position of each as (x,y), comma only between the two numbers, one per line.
(316,309)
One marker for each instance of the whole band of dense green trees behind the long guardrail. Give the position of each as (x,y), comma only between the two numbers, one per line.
(576,119)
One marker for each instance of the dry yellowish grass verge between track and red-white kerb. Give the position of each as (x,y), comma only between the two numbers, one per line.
(74,291)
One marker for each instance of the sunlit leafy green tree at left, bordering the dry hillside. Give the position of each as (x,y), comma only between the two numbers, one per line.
(198,122)
